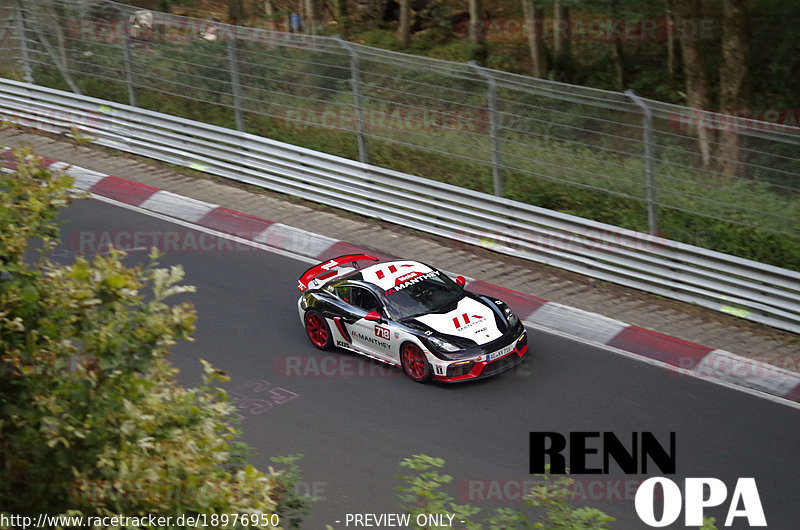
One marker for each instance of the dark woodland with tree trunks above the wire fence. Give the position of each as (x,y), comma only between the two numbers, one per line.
(646,59)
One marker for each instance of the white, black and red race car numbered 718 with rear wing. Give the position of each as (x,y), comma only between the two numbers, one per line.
(408,314)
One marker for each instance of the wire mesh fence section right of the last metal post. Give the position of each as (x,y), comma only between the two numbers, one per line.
(741,173)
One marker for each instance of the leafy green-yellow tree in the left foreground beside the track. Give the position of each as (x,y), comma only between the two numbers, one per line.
(92,420)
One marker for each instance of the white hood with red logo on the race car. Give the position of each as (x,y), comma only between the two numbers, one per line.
(470,319)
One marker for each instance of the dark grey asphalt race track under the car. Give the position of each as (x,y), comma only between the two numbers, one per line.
(354,420)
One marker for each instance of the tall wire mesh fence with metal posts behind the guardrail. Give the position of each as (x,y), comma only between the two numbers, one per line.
(723,182)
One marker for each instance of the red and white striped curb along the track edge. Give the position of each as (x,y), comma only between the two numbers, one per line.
(696,359)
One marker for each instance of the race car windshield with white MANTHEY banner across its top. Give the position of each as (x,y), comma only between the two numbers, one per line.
(426,293)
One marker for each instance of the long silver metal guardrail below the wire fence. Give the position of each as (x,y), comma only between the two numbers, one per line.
(748,289)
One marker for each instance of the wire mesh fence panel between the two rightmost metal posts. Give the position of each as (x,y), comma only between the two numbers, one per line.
(552,134)
